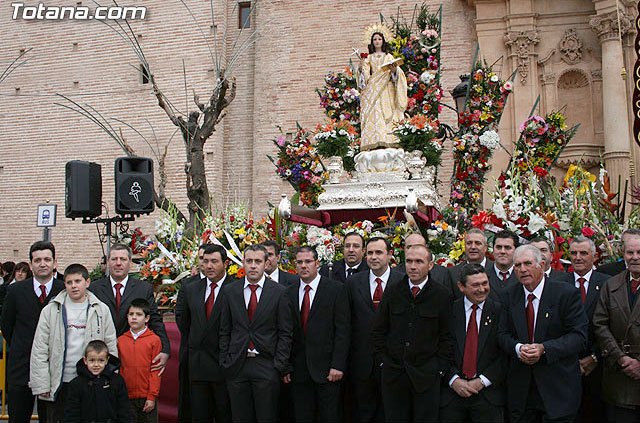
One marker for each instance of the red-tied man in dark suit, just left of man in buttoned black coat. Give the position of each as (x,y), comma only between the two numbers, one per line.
(364,292)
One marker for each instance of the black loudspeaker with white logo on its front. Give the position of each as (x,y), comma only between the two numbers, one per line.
(134,185)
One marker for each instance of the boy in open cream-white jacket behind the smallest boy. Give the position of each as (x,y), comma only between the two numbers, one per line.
(66,325)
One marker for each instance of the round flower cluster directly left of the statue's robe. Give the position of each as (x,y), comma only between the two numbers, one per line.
(340,98)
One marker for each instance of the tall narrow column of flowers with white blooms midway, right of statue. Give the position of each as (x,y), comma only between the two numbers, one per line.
(477,137)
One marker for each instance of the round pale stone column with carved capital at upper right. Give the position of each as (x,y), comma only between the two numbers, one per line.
(614,97)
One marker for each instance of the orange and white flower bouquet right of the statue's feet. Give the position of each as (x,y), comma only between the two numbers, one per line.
(421,133)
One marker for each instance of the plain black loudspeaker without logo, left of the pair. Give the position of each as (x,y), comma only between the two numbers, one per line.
(83,189)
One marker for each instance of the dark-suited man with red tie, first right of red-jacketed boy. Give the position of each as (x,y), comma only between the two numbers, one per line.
(198,315)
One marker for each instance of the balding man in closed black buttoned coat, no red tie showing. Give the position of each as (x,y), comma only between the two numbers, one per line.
(412,343)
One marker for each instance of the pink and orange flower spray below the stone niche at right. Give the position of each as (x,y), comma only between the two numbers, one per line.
(541,141)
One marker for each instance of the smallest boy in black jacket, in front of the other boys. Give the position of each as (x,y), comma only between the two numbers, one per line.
(98,394)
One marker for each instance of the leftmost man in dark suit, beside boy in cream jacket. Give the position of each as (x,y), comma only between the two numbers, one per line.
(22,306)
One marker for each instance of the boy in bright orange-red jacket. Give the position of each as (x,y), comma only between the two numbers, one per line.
(138,347)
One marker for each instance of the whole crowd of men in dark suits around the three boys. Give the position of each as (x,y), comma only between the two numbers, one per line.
(510,340)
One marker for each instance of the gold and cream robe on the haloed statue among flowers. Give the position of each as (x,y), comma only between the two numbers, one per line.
(383,100)
